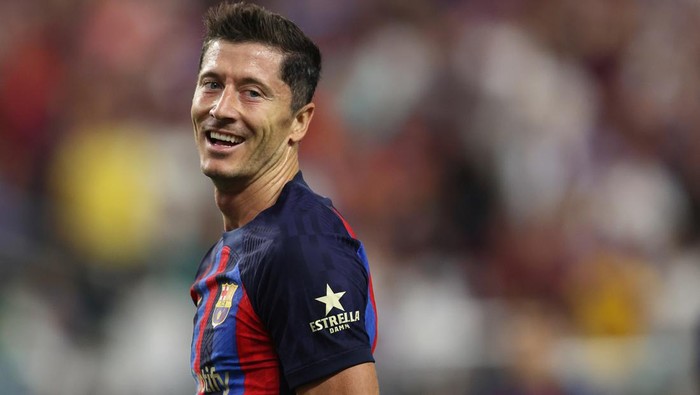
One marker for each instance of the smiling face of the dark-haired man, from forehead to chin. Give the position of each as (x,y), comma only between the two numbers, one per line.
(241,111)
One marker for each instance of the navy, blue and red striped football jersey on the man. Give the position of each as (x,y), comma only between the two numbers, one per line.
(282,301)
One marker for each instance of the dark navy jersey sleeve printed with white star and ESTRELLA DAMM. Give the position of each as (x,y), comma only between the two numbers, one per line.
(312,296)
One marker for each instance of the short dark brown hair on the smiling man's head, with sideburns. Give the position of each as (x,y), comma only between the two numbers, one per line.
(242,22)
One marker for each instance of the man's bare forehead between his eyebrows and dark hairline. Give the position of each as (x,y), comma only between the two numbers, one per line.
(242,60)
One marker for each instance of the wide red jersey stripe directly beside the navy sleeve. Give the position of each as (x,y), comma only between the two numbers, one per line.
(260,363)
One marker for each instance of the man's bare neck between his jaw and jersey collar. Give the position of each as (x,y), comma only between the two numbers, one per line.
(240,202)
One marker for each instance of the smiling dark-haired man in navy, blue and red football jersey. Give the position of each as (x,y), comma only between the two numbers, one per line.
(284,299)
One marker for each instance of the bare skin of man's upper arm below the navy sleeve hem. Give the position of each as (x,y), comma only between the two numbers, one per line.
(358,379)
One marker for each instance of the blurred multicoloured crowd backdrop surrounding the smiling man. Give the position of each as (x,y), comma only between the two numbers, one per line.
(525,176)
